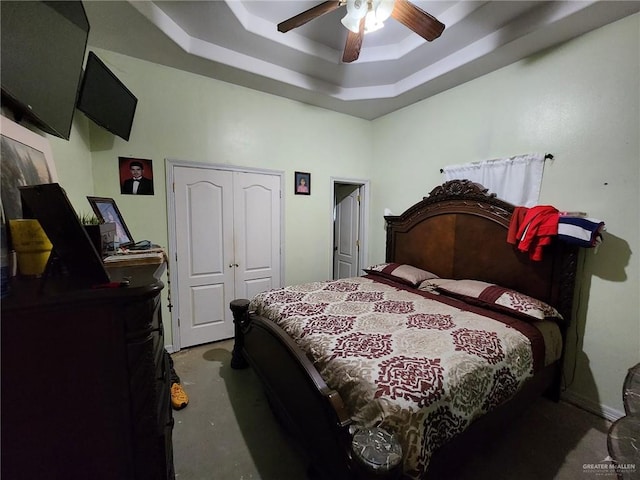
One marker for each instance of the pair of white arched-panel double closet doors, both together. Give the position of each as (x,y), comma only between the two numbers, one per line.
(227,244)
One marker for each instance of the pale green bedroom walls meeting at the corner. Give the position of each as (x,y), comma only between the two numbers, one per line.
(579,101)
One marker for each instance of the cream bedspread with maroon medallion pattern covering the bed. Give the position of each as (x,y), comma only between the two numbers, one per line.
(420,368)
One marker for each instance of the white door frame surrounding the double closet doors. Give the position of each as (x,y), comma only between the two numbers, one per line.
(170,165)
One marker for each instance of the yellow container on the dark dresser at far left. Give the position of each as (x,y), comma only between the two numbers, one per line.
(31,245)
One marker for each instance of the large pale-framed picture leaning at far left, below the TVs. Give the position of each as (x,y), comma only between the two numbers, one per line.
(26,160)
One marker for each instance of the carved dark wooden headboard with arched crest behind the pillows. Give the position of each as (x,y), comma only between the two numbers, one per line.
(459,231)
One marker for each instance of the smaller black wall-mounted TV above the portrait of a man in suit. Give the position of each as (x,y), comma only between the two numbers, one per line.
(105,99)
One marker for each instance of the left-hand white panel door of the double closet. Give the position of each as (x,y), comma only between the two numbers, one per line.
(205,254)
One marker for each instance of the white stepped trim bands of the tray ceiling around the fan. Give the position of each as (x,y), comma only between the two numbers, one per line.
(549,14)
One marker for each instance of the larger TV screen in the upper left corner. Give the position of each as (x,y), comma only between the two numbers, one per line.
(42,51)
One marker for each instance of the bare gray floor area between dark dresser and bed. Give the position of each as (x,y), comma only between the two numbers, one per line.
(227,431)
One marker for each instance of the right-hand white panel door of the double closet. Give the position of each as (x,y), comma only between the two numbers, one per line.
(257,233)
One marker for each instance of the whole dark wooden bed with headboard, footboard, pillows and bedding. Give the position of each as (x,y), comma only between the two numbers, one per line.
(434,349)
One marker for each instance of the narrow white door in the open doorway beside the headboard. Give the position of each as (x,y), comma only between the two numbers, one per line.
(346,231)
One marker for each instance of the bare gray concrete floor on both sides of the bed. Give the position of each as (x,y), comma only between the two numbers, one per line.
(227,432)
